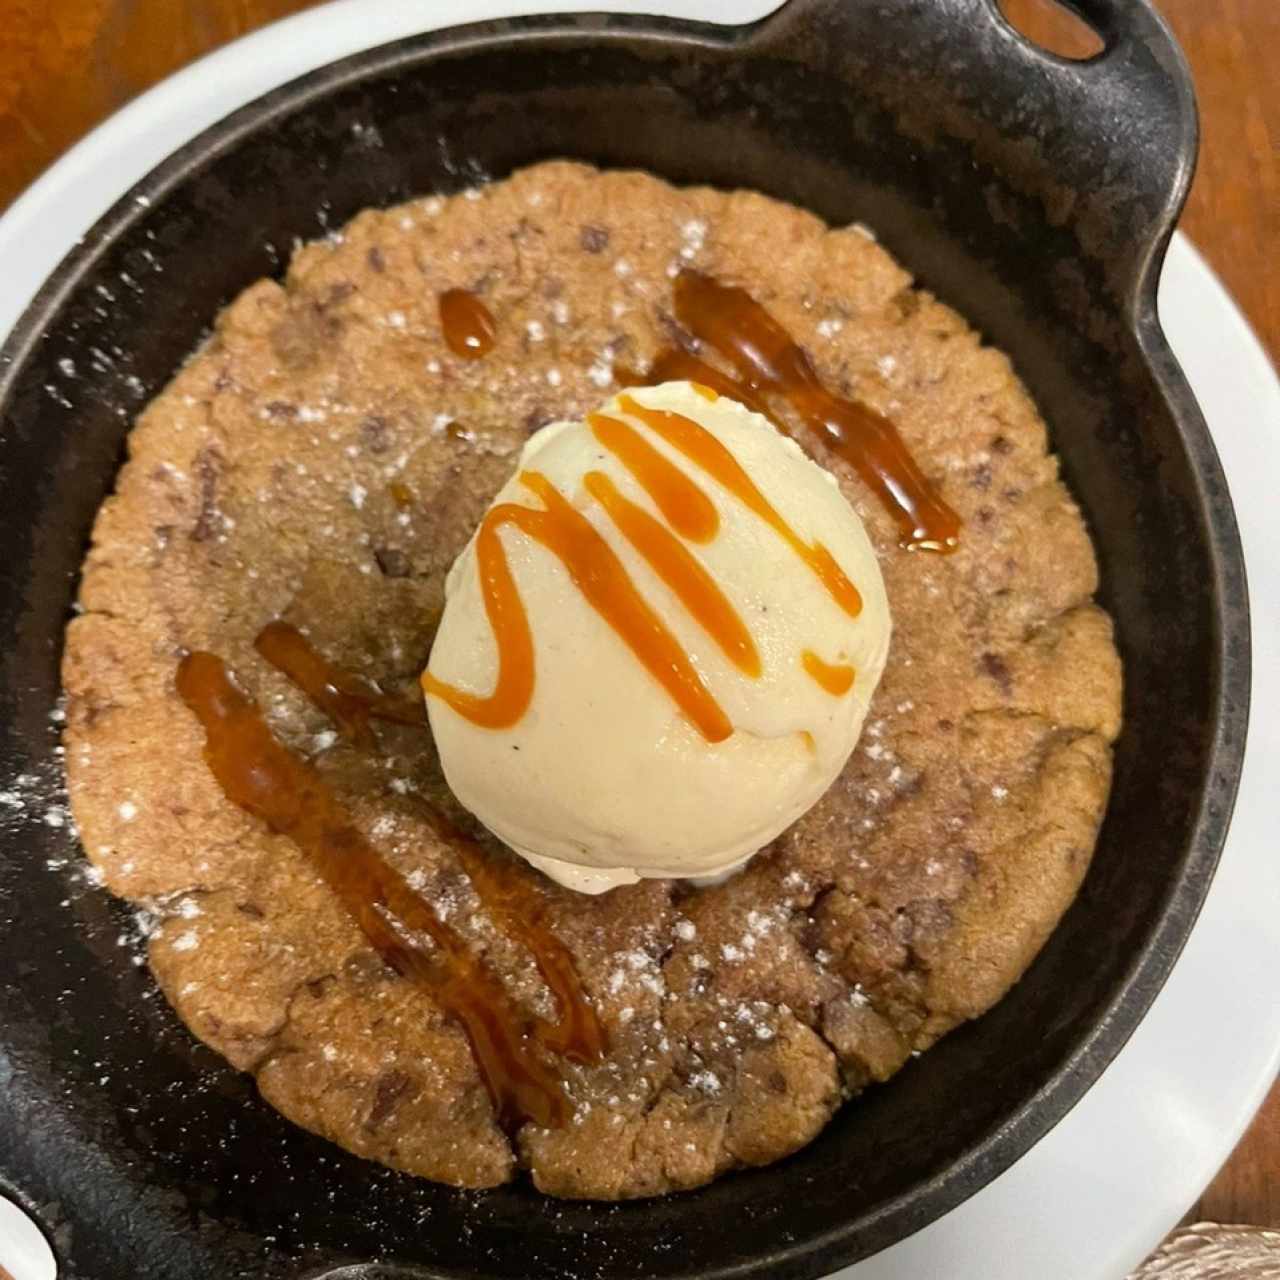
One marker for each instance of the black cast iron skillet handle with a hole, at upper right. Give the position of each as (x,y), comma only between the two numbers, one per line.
(1109,144)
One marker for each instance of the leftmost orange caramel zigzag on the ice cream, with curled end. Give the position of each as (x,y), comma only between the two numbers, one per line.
(601,577)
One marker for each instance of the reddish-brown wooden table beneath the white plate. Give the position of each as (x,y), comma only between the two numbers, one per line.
(65,65)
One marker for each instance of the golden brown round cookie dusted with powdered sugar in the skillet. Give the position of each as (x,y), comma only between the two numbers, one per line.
(269,481)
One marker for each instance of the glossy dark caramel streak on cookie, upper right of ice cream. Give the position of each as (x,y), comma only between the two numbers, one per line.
(769,362)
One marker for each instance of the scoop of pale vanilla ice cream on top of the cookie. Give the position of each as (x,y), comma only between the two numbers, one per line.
(605,780)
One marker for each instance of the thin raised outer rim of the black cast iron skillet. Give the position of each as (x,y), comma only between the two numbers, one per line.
(1154,962)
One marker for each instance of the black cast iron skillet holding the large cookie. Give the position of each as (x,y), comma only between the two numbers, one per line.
(1035,195)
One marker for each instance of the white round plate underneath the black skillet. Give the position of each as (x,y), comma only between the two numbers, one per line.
(1092,1199)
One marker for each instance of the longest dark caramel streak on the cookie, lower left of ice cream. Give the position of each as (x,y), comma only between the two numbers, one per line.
(263,778)
